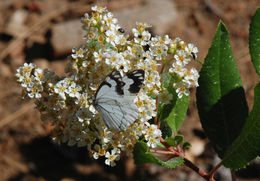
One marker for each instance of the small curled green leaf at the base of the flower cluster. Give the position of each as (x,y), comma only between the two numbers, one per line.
(143,155)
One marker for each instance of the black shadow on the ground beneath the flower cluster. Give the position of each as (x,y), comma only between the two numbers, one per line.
(53,162)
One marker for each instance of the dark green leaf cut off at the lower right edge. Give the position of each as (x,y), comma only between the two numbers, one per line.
(247,146)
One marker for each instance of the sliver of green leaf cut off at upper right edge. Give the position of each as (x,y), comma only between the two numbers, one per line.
(254,40)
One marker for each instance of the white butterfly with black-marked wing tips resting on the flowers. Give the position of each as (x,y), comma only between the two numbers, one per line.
(114,99)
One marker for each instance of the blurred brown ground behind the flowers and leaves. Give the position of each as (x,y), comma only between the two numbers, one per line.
(45,31)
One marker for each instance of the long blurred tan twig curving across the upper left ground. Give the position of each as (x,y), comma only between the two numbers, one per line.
(43,22)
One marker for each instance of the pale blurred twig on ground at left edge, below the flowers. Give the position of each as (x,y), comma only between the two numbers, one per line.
(16,114)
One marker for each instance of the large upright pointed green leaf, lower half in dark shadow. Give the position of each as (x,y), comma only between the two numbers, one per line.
(220,96)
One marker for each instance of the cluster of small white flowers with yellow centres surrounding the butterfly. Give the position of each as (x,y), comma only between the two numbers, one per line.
(67,103)
